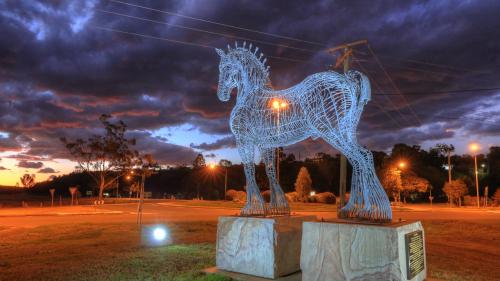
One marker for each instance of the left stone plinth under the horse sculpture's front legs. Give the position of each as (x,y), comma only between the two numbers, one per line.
(264,247)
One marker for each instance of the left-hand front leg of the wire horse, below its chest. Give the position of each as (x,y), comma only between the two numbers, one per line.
(255,203)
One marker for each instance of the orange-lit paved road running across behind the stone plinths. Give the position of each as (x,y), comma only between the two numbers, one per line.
(169,212)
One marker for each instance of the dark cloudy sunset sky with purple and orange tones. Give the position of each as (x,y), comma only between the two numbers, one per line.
(64,63)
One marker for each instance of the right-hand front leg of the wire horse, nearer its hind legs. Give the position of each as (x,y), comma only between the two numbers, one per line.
(279,204)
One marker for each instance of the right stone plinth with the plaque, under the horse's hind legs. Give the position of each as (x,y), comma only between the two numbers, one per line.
(343,250)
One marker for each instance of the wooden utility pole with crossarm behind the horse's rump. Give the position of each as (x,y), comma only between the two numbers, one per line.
(345,61)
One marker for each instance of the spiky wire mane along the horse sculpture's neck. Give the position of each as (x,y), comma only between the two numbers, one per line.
(243,52)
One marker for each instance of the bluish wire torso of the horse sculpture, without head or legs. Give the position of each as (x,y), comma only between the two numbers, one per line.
(258,121)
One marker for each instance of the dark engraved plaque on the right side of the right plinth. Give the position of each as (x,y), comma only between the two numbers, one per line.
(414,244)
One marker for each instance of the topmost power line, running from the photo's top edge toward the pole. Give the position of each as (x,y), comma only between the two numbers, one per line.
(220,24)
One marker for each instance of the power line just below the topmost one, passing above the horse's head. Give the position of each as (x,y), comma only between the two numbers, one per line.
(206,31)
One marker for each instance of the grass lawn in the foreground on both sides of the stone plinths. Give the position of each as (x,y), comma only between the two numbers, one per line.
(456,250)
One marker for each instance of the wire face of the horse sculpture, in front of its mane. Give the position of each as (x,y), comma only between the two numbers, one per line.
(227,76)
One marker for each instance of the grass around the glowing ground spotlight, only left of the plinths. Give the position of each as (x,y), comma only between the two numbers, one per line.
(106,252)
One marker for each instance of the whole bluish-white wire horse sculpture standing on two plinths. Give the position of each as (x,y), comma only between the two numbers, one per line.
(326,104)
